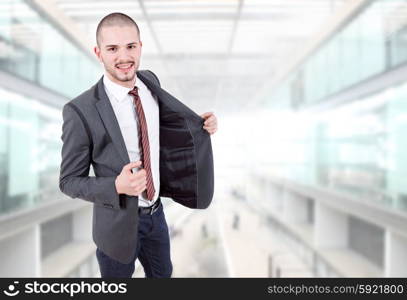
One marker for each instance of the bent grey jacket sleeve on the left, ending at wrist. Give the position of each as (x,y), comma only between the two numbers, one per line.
(74,179)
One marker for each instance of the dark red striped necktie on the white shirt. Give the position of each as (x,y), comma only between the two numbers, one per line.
(143,141)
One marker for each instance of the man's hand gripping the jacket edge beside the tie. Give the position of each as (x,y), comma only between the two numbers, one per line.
(129,183)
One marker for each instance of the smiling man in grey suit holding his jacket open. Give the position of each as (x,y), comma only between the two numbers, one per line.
(142,144)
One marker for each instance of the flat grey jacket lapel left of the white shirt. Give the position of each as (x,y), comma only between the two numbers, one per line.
(108,116)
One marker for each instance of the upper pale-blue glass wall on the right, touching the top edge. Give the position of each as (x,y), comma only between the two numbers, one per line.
(371,43)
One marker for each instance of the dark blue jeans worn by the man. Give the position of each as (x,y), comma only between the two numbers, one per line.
(153,250)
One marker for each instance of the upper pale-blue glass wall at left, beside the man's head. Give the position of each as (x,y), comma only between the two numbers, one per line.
(32,48)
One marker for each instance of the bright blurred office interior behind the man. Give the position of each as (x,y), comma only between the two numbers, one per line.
(310,155)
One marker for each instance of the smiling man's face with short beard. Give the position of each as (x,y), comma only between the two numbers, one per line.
(120,50)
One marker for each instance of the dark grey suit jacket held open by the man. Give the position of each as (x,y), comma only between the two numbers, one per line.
(91,136)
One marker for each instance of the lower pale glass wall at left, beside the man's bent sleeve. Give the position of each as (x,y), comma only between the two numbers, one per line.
(29,152)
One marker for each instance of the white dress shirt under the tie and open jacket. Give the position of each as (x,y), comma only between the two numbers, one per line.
(125,112)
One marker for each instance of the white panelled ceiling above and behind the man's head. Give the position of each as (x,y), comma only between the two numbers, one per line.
(213,54)
